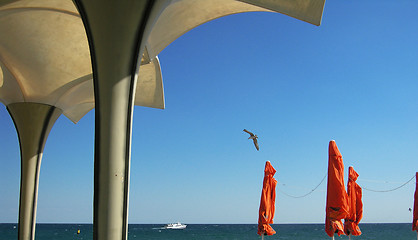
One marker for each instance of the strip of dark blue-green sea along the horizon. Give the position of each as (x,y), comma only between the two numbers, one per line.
(382,231)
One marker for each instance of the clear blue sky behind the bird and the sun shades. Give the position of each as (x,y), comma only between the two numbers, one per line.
(353,79)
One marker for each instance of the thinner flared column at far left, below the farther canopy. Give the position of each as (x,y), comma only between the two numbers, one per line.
(33,122)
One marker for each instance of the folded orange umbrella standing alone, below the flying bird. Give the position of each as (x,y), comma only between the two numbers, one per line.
(267,202)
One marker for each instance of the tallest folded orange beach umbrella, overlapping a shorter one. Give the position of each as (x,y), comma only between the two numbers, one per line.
(337,199)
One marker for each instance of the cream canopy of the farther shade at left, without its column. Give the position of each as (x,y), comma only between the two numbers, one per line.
(45,59)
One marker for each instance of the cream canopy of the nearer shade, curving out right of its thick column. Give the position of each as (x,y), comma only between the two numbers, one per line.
(183,15)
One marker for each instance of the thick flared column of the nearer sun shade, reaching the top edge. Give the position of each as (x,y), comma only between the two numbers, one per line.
(116,31)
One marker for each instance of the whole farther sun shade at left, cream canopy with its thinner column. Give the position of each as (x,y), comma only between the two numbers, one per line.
(45,71)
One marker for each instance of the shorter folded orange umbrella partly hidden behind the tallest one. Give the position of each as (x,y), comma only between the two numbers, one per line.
(356,205)
